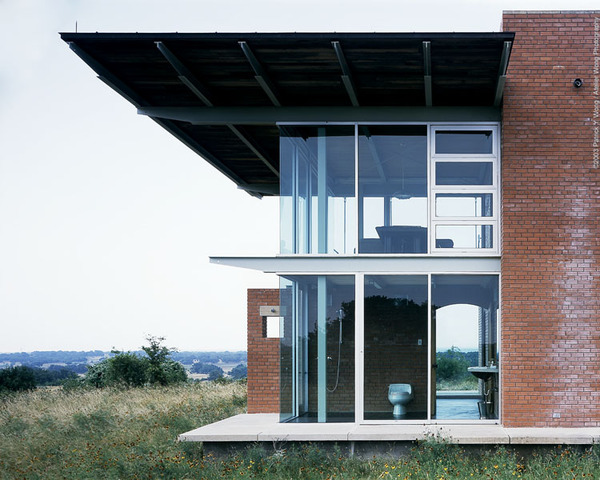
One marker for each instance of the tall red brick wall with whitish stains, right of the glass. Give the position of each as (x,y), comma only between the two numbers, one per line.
(551,224)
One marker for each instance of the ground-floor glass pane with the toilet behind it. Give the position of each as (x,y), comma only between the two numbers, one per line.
(396,347)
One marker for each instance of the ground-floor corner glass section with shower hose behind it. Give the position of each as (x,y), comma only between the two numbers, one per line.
(317,369)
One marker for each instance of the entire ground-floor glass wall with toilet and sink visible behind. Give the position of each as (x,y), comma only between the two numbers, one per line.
(426,346)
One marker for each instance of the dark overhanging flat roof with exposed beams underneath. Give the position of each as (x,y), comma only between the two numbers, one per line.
(222,94)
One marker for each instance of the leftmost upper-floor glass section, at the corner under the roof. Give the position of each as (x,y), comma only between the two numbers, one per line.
(318,208)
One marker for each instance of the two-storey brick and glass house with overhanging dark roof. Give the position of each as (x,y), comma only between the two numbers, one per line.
(437,189)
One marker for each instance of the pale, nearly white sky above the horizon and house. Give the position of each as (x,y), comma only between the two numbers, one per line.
(106,220)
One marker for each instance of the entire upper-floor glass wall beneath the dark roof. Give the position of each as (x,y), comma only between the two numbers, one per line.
(389,189)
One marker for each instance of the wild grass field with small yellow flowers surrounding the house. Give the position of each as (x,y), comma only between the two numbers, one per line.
(131,434)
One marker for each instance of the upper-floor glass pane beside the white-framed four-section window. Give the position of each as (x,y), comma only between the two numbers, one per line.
(392,186)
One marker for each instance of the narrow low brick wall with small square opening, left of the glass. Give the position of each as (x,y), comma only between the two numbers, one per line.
(263,355)
